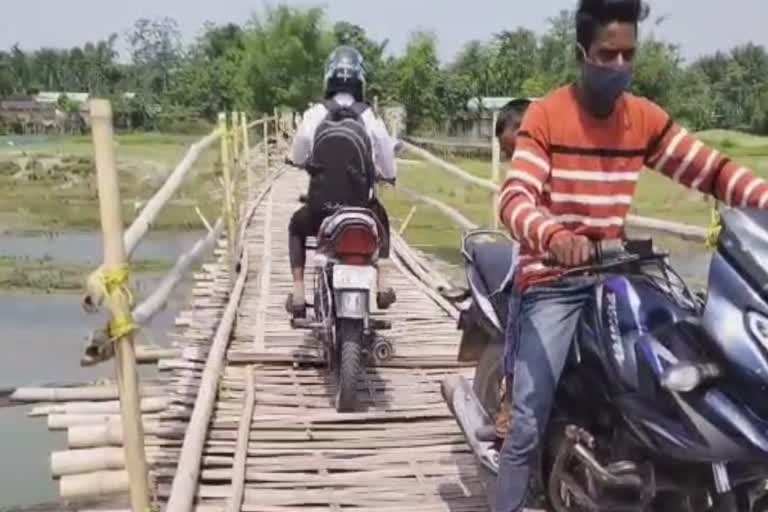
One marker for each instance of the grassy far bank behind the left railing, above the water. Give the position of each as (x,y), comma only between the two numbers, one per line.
(57,203)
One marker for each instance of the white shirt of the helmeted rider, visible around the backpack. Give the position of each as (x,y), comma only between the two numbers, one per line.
(382,143)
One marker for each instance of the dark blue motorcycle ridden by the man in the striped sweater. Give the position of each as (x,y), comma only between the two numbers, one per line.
(660,406)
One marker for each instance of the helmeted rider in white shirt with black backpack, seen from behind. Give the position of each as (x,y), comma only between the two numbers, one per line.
(344,85)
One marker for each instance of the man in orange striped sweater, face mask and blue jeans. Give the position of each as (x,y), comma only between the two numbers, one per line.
(578,156)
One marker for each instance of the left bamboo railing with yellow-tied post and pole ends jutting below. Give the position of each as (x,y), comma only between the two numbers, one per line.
(110,284)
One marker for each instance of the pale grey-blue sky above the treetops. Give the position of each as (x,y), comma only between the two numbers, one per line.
(698,26)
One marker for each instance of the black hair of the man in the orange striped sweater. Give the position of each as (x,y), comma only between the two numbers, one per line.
(593,14)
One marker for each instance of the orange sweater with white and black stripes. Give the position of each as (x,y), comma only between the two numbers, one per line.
(572,171)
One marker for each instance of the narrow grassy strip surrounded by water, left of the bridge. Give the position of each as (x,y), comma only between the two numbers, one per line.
(45,275)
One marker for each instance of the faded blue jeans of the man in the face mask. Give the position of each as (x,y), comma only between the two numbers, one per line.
(541,327)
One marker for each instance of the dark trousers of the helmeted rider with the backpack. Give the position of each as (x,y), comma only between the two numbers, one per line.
(306,222)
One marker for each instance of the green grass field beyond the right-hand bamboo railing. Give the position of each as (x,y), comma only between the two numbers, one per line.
(656,196)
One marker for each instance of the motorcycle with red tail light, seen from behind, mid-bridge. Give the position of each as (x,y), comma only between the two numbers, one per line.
(345,276)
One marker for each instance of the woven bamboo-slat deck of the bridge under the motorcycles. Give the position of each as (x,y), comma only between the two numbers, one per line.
(402,451)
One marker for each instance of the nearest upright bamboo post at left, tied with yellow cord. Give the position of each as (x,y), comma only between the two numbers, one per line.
(114,261)
